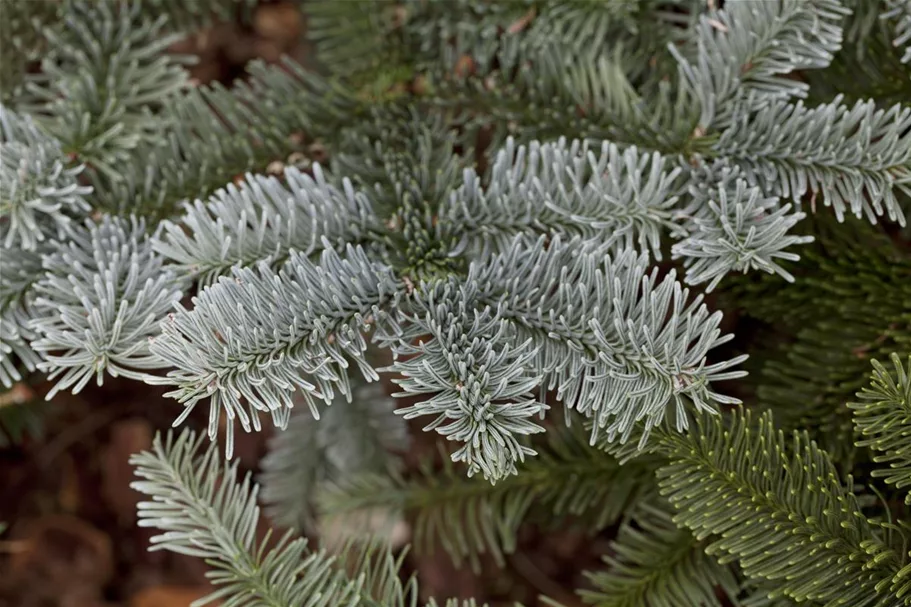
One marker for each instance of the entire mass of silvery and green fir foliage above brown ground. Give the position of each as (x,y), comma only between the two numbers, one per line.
(630,263)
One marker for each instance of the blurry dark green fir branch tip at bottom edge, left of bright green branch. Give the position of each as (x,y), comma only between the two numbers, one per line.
(654,563)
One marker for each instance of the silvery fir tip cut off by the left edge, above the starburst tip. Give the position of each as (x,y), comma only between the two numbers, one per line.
(38,189)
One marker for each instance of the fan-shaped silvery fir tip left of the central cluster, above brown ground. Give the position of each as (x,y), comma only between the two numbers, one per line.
(99,302)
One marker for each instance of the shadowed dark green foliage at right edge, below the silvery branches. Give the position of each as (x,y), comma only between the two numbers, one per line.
(849,304)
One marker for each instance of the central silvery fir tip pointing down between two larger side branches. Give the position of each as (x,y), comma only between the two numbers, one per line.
(481,390)
